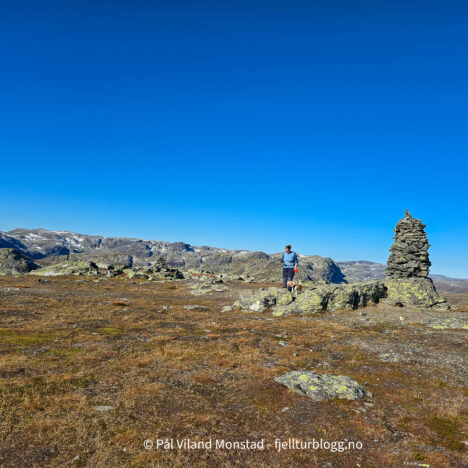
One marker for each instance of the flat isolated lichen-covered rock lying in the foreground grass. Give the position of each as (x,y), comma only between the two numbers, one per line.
(322,387)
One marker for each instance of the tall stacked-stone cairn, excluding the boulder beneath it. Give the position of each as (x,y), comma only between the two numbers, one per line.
(409,257)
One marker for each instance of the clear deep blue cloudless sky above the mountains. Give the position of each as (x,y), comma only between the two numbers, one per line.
(243,124)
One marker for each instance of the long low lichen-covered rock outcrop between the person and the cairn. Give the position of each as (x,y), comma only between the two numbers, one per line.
(314,300)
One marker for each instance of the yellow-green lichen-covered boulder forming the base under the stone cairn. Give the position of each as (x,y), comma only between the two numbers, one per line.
(418,292)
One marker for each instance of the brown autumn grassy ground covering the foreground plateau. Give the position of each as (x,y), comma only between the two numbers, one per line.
(71,345)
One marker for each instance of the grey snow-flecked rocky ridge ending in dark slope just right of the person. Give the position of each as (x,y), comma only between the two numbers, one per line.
(42,244)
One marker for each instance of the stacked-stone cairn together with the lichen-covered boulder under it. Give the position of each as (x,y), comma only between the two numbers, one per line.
(408,265)
